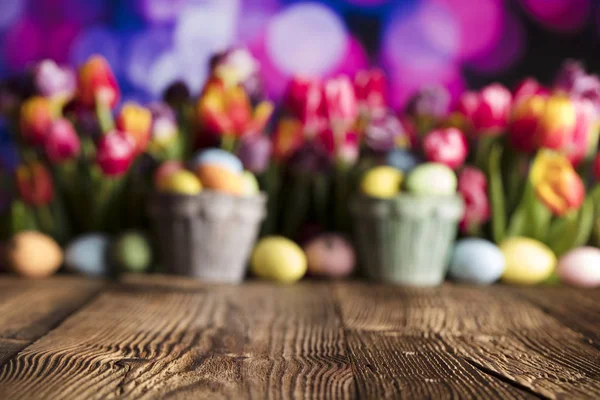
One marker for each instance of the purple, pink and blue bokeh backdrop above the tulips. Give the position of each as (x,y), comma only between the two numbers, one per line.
(458,43)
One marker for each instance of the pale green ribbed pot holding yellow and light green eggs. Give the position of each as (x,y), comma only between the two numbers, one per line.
(408,239)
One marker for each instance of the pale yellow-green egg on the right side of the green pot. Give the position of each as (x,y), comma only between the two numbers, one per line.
(431,179)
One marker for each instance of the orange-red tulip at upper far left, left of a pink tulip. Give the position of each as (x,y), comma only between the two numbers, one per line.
(35,120)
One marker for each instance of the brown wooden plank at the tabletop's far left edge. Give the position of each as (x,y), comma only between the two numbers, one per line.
(30,308)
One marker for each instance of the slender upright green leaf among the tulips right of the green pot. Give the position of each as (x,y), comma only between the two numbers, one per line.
(497,194)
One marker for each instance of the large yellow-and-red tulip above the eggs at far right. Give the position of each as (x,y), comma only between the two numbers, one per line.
(556,183)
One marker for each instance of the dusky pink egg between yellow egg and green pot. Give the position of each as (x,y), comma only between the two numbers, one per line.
(330,255)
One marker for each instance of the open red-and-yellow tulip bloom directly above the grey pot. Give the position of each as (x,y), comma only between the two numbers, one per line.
(228,112)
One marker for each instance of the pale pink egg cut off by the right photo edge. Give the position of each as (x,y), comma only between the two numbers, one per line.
(580,267)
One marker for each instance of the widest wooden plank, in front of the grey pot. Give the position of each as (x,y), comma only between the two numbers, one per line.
(251,341)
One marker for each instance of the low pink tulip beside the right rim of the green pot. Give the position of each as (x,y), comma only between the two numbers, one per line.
(472,186)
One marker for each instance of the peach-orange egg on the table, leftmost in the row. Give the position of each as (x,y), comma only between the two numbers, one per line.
(33,255)
